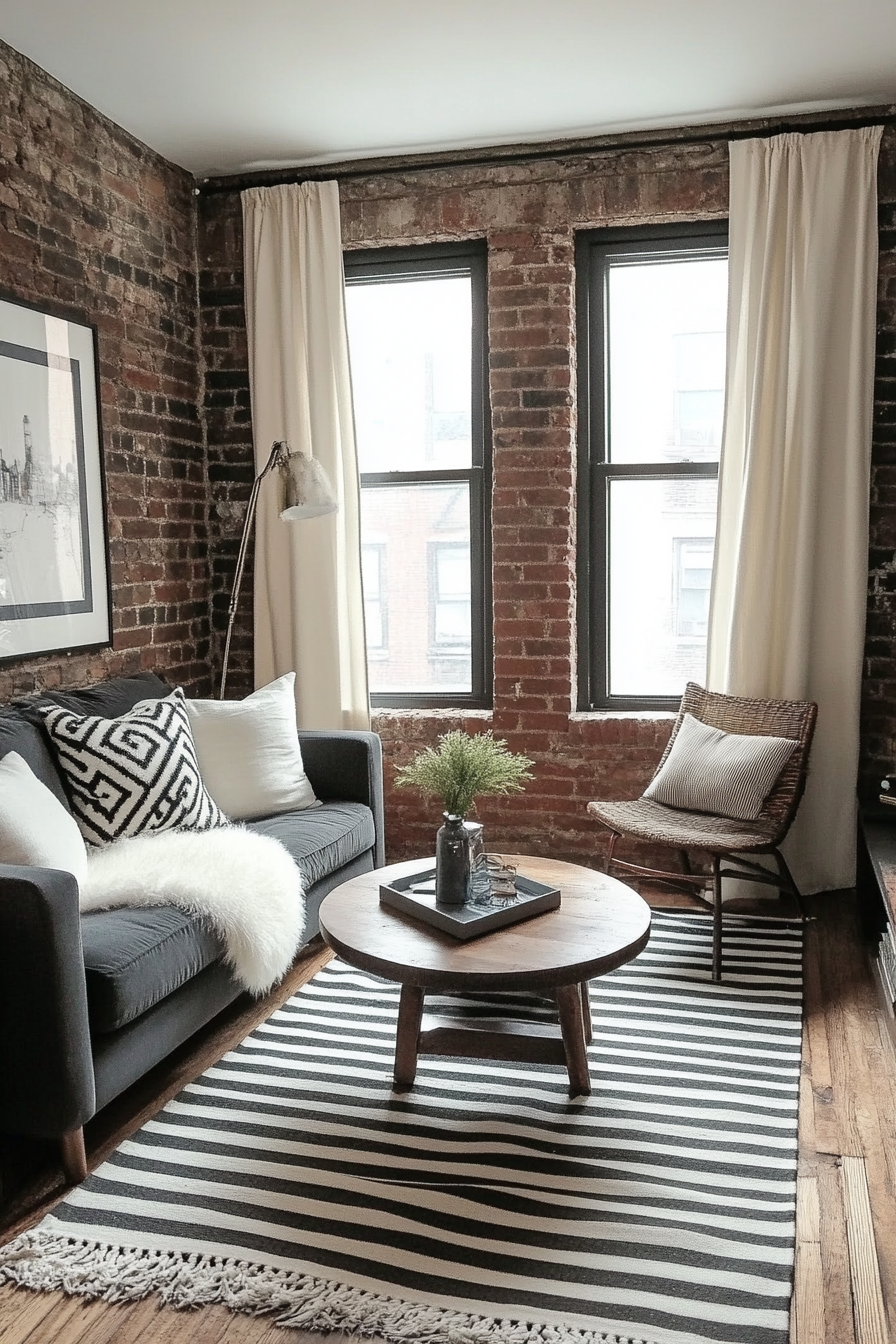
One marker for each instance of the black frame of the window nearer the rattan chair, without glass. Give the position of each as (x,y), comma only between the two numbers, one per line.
(596,249)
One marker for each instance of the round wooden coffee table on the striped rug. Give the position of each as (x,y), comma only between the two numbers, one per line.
(600,925)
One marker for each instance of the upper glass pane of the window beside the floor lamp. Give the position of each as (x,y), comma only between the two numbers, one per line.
(412,364)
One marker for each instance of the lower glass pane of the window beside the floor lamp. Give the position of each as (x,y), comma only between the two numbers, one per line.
(424,538)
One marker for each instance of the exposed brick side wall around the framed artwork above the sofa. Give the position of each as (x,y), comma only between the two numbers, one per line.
(103,230)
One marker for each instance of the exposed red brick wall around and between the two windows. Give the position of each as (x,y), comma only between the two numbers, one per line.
(529,213)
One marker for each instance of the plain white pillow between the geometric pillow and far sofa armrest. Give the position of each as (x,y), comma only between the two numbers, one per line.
(249,753)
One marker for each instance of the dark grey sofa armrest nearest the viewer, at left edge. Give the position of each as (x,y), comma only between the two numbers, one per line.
(46,1061)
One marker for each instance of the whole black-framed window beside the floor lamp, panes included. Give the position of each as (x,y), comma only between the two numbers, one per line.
(417,342)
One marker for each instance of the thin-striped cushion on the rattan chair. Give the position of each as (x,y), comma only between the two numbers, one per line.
(726,775)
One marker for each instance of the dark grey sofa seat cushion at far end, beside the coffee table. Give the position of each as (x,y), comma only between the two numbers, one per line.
(322,839)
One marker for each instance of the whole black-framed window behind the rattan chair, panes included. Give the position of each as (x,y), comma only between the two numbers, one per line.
(652,307)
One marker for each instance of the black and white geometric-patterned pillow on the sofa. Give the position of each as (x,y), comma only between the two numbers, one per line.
(132,775)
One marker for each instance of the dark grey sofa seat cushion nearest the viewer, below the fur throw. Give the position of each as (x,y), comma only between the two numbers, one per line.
(136,958)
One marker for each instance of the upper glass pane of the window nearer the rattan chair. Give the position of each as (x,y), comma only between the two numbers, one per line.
(667,362)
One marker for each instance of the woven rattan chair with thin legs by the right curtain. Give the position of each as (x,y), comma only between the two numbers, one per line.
(723,841)
